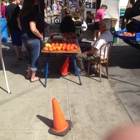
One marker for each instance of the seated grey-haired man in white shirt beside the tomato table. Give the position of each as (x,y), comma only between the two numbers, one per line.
(94,52)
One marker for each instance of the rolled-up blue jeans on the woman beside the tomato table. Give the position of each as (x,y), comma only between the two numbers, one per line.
(33,47)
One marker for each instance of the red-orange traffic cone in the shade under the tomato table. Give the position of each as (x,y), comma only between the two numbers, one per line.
(65,68)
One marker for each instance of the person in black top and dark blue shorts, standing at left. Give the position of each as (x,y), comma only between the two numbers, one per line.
(12,12)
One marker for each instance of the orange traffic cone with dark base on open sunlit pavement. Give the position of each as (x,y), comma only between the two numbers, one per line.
(60,125)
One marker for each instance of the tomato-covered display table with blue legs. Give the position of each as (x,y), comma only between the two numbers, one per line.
(65,43)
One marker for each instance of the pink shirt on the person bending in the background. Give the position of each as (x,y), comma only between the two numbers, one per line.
(99,15)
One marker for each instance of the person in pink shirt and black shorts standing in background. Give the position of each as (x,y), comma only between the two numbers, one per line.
(98,17)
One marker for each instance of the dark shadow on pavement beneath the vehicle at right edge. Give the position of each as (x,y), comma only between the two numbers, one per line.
(125,57)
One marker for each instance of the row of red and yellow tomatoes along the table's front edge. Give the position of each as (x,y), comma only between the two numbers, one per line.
(55,46)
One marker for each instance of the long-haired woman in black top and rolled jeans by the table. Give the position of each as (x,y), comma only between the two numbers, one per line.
(32,27)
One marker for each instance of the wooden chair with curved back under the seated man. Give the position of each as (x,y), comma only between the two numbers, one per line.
(102,59)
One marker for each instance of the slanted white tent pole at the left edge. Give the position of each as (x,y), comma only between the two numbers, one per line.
(3,66)
